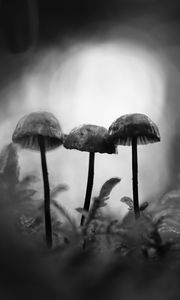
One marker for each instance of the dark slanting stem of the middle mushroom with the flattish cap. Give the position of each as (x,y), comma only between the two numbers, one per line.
(89,184)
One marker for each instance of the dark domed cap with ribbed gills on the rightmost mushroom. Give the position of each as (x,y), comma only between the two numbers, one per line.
(136,125)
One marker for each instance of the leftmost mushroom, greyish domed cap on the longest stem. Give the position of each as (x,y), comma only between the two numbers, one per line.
(40,131)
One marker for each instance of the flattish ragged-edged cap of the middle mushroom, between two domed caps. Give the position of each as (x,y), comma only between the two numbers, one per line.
(89,138)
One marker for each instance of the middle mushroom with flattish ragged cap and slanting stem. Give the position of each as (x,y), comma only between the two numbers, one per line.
(92,139)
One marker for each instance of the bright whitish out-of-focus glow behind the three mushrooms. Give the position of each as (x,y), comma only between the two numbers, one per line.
(96,83)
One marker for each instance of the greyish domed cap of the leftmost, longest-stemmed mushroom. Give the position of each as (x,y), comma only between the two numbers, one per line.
(37,124)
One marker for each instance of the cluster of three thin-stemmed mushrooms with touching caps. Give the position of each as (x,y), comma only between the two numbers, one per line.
(42,132)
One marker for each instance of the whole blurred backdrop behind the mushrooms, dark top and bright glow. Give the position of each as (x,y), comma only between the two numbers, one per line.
(91,62)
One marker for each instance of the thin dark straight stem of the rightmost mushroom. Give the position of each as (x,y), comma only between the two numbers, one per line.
(135,177)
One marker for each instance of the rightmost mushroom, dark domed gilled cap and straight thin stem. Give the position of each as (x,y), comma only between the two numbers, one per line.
(134,129)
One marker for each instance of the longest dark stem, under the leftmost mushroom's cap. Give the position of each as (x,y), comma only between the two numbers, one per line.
(48,228)
